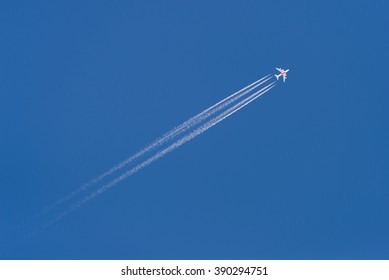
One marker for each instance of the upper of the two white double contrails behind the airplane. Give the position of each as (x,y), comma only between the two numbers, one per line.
(166,137)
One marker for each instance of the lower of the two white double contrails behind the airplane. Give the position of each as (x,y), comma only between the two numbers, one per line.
(165,151)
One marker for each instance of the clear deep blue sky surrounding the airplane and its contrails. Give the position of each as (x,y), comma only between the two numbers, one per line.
(302,173)
